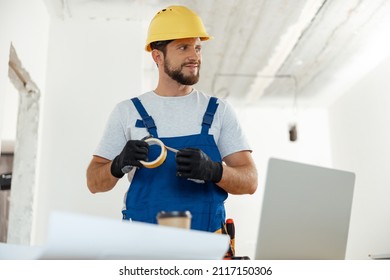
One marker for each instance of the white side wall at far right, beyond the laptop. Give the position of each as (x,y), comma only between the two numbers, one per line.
(360,125)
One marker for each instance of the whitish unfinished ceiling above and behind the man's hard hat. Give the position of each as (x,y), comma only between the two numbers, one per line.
(270,52)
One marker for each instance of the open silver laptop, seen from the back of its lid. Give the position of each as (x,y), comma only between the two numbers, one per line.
(305,212)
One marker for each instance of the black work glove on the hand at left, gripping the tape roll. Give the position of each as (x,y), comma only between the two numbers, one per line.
(132,153)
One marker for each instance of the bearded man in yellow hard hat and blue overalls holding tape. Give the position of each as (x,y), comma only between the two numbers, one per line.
(213,157)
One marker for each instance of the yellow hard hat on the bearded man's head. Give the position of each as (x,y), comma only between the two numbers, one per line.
(175,22)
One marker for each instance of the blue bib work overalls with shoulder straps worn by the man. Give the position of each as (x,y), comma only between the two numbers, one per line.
(159,189)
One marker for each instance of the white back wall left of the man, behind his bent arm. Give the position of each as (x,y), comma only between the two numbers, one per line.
(92,65)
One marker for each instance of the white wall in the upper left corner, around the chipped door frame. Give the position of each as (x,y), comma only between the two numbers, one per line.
(30,42)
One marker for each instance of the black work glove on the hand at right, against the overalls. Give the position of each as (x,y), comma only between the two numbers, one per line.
(193,163)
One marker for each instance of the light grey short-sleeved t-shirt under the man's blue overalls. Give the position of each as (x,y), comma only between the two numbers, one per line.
(173,116)
